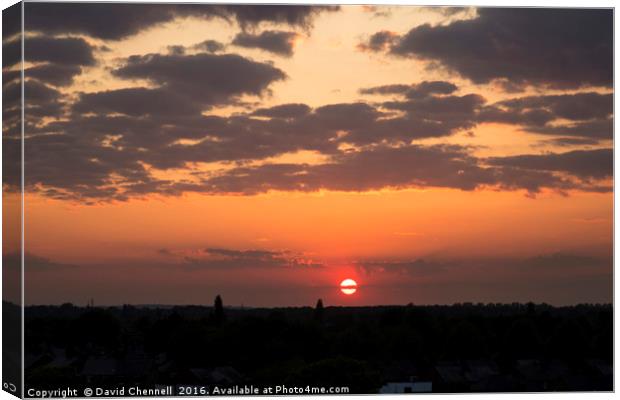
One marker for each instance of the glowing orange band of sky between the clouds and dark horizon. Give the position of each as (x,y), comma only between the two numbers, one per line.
(333,228)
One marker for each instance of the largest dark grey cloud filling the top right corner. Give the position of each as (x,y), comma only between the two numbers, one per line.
(562,48)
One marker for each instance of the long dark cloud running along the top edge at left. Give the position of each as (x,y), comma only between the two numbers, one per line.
(118,21)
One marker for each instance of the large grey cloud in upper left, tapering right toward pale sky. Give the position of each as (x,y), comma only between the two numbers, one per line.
(187,84)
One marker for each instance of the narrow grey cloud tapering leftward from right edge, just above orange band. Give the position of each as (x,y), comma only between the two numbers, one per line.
(585,164)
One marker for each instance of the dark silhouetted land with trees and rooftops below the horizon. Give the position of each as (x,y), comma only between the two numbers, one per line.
(459,348)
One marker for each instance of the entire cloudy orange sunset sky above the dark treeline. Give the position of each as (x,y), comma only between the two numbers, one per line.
(266,153)
